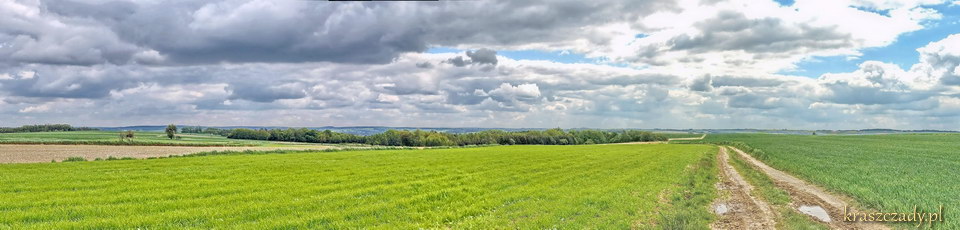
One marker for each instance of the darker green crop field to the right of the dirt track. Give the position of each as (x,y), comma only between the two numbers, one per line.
(882,172)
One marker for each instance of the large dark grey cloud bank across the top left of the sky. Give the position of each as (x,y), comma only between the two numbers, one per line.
(208,32)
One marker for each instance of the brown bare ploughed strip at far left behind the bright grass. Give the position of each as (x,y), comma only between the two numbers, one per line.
(45,153)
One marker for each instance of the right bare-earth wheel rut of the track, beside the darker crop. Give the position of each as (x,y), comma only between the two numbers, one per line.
(811,195)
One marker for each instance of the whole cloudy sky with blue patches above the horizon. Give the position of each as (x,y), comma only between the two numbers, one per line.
(803,64)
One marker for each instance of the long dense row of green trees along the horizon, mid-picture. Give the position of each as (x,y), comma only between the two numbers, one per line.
(433,138)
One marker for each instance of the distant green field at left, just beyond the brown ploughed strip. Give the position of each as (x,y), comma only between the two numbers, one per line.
(142,138)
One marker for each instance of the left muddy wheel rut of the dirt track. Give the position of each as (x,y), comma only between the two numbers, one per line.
(737,208)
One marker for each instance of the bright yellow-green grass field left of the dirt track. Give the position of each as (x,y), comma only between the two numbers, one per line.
(526,187)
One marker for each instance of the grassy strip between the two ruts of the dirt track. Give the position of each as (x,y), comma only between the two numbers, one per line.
(766,189)
